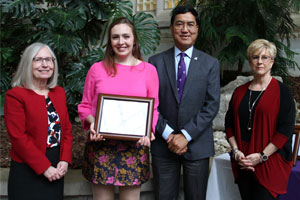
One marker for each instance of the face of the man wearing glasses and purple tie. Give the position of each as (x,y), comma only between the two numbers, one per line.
(184,30)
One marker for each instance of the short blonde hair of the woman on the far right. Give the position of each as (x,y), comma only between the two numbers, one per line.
(260,45)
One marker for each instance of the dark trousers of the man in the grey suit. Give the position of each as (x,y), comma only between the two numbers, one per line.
(166,173)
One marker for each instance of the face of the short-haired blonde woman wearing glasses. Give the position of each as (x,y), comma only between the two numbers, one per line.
(261,62)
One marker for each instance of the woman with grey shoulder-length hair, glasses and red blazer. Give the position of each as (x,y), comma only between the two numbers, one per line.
(39,129)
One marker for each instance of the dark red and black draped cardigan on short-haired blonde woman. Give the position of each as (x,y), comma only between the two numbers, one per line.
(274,173)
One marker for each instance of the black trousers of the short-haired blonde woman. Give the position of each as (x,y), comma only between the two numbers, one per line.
(249,187)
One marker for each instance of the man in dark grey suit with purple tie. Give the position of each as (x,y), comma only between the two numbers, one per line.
(189,95)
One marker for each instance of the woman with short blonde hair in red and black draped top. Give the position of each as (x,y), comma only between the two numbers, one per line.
(259,125)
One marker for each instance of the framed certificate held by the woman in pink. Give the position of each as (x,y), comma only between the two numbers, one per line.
(124,117)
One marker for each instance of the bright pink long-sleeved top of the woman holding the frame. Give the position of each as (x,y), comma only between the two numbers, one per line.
(140,80)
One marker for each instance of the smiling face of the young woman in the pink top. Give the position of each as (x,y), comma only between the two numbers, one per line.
(122,40)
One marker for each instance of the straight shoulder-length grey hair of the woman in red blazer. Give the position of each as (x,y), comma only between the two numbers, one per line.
(24,76)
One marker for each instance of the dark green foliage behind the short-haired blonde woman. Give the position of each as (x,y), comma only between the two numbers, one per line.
(227,27)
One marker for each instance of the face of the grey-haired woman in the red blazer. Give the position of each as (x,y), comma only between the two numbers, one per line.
(42,66)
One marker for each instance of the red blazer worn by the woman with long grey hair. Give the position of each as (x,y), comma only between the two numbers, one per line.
(26,119)
